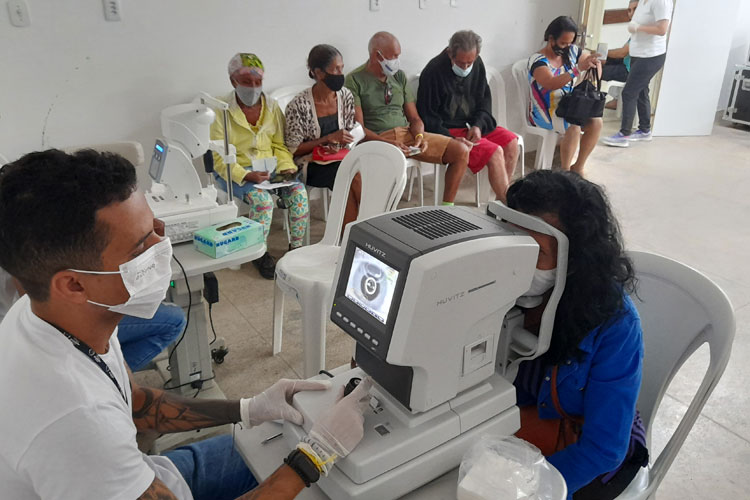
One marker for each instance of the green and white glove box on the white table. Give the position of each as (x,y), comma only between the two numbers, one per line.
(228,237)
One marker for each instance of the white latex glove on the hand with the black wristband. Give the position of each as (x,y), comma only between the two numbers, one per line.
(340,429)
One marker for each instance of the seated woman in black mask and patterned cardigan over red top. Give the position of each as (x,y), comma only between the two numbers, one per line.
(320,123)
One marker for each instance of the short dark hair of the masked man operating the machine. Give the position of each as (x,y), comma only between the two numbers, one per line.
(48,205)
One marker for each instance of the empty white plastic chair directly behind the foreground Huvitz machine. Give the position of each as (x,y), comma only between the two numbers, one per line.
(307,272)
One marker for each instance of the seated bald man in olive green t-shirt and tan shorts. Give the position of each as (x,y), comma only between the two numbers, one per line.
(384,105)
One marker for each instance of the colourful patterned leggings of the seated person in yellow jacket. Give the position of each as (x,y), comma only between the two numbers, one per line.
(295,199)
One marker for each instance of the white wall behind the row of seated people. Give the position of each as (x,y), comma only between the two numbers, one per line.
(72,78)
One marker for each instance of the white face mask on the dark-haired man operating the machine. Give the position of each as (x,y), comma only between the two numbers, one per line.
(146,278)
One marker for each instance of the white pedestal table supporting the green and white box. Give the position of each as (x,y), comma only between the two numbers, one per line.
(191,360)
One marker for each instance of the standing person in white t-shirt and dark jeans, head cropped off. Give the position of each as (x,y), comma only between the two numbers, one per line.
(648,50)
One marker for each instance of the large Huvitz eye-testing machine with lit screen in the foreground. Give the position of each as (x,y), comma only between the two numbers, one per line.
(429,294)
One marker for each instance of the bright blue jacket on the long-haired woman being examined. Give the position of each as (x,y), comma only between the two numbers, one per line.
(602,387)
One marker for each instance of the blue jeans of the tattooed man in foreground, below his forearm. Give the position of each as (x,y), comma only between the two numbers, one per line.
(213,469)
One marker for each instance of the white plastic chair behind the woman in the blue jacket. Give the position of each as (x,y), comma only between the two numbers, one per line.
(680,310)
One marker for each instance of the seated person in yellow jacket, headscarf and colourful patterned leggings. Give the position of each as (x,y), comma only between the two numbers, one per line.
(257,131)
